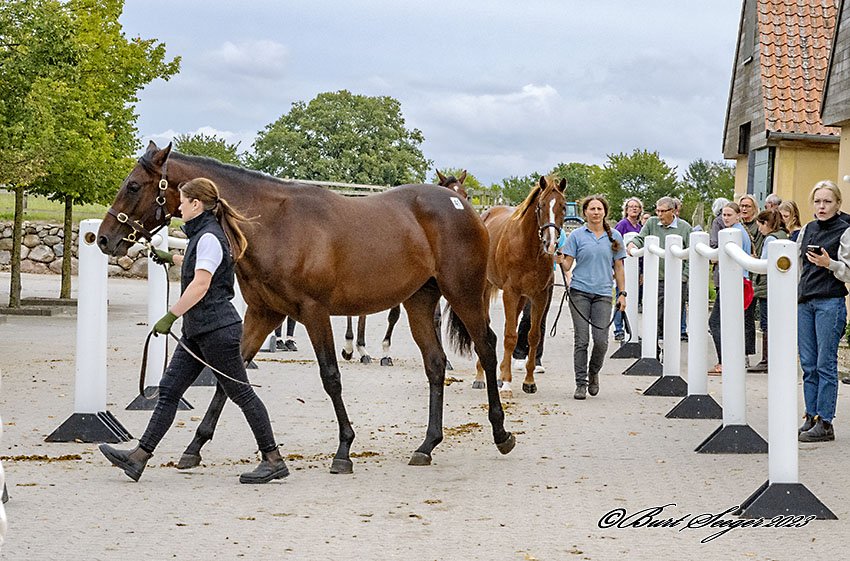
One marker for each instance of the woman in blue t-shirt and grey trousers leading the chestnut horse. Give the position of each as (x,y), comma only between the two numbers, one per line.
(598,253)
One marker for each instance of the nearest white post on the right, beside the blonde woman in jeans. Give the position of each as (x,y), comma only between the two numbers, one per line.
(782,361)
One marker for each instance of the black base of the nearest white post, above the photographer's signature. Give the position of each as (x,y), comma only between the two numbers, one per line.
(784,499)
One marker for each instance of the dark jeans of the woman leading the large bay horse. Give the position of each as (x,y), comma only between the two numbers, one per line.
(221,349)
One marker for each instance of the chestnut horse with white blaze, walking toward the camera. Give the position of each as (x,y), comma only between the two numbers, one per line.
(521,263)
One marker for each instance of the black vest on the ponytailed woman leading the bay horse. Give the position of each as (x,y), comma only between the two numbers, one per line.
(214,311)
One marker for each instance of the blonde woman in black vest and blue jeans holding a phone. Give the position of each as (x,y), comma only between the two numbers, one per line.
(822,314)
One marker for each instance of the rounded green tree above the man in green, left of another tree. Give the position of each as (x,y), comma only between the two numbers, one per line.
(642,174)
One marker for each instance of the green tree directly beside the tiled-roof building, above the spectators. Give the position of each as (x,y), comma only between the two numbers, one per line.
(705,181)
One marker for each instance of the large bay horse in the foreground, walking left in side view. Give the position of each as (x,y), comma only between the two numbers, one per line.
(344,256)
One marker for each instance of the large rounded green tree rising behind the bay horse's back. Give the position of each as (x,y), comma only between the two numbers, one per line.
(340,136)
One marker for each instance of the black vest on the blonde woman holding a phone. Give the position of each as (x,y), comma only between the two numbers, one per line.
(819,282)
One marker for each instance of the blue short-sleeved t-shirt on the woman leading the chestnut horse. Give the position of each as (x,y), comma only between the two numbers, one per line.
(594,268)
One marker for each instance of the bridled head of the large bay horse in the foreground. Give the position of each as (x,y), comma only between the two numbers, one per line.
(144,204)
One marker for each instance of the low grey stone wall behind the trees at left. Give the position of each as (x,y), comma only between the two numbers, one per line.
(41,251)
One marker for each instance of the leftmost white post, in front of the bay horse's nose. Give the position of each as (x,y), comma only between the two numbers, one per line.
(90,380)
